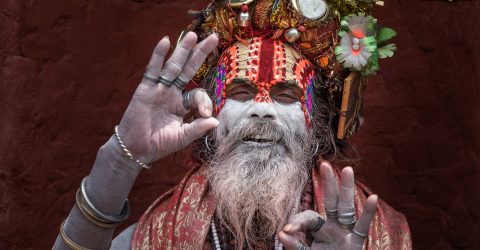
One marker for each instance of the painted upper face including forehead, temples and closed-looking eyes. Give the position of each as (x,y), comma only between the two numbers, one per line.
(265,71)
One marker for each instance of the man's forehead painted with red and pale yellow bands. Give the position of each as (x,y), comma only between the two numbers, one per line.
(265,62)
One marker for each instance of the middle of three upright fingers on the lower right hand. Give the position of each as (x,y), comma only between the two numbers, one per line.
(346,192)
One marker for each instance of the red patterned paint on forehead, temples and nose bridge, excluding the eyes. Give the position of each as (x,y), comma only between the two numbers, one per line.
(264,62)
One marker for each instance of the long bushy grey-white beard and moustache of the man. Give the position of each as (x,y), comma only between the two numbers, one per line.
(256,188)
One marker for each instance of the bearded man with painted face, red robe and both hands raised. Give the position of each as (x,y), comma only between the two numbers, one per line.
(261,184)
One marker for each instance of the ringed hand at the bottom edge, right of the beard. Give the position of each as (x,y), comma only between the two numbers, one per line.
(339,230)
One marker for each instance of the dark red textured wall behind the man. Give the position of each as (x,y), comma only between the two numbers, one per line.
(68,69)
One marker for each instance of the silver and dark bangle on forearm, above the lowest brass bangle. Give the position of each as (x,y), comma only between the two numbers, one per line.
(94,215)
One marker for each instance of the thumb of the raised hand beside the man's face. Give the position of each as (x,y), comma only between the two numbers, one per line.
(199,127)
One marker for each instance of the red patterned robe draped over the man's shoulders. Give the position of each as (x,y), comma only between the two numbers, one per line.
(180,218)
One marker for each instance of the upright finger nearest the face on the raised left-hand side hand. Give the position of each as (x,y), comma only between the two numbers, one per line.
(198,56)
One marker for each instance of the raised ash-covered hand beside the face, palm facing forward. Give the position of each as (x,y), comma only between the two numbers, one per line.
(152,126)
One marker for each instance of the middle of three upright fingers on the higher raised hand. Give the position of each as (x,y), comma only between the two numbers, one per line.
(175,64)
